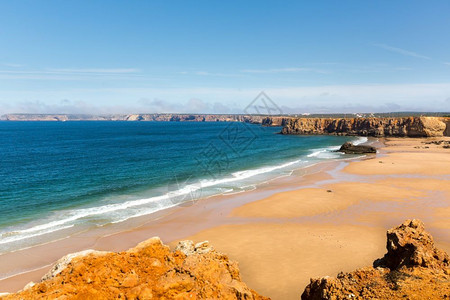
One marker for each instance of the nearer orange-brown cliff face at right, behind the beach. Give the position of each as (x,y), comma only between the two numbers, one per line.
(399,127)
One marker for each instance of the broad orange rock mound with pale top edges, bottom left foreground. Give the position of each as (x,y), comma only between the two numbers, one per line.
(148,271)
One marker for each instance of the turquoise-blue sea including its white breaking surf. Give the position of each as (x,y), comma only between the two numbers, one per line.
(58,177)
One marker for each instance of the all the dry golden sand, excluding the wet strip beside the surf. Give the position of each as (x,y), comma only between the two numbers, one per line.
(338,227)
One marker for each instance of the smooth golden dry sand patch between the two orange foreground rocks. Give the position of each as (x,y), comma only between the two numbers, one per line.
(277,259)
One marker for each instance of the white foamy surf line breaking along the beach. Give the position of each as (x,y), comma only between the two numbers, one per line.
(69,222)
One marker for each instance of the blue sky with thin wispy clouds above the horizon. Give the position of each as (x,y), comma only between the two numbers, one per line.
(102,57)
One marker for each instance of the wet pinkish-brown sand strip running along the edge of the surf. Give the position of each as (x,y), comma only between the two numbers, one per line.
(110,237)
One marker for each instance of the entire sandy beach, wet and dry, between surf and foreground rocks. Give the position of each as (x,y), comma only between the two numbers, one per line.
(332,217)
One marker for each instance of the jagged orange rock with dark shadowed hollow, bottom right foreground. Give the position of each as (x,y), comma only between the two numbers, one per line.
(413,268)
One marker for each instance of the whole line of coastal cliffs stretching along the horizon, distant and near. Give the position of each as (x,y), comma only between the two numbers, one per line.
(361,126)
